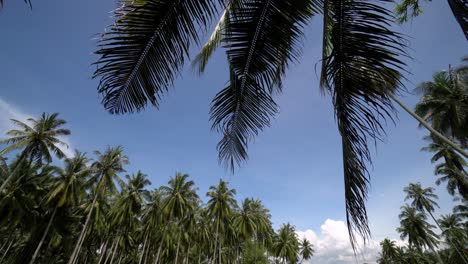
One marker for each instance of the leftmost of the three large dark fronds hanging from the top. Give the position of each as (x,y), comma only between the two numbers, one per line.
(144,50)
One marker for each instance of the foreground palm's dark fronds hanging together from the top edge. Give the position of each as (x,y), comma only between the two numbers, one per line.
(143,52)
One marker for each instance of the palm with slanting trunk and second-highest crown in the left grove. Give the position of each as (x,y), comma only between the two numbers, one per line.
(106,167)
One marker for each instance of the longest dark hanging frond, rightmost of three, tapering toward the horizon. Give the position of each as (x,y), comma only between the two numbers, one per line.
(362,69)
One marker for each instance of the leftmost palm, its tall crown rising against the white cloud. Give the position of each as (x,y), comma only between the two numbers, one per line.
(36,141)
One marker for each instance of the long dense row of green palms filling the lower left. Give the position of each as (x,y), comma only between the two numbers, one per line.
(84,212)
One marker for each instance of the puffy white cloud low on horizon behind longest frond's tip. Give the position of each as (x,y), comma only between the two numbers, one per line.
(332,246)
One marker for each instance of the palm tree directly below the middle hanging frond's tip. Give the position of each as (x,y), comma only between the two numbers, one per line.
(220,208)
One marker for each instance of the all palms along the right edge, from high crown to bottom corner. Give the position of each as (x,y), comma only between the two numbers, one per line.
(443,104)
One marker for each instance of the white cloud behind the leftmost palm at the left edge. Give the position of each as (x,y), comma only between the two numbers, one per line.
(9,111)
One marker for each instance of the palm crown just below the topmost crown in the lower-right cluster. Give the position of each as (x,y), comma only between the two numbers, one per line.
(413,225)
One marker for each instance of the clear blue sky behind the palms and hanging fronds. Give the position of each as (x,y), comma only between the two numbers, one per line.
(294,166)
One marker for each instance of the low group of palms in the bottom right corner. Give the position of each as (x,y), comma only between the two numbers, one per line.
(424,245)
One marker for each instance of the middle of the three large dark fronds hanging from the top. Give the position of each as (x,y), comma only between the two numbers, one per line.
(262,39)
